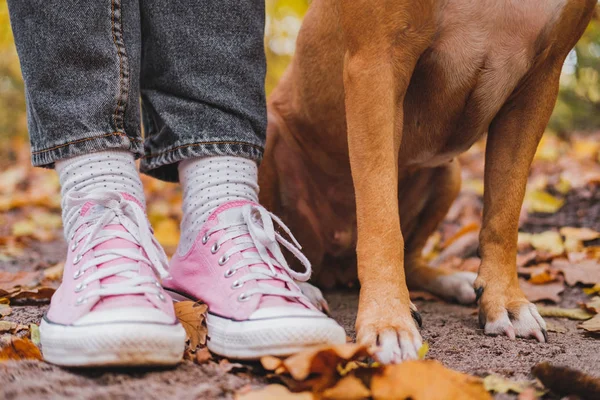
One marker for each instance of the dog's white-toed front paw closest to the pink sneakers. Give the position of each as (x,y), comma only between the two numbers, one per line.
(392,336)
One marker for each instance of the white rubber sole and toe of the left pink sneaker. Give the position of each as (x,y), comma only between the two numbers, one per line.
(112,344)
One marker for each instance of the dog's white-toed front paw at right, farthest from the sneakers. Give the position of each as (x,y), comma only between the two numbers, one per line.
(506,311)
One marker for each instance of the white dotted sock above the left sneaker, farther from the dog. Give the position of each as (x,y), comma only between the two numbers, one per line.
(102,171)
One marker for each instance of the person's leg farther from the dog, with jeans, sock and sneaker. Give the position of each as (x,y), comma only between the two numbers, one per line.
(80,63)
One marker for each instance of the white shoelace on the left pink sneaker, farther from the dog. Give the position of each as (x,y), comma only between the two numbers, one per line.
(117,211)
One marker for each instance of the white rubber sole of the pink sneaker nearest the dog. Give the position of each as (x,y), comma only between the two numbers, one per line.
(281,336)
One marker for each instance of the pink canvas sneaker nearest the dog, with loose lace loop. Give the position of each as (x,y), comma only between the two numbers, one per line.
(255,308)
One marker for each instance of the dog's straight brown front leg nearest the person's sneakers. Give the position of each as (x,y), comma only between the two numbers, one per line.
(383,44)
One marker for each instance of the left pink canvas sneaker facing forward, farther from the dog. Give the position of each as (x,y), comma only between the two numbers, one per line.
(110,308)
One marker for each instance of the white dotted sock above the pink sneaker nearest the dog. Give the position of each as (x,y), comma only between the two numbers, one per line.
(207,183)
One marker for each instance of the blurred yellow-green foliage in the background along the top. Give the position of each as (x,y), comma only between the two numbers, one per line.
(578,108)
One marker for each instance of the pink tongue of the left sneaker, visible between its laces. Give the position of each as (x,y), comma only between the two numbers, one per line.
(91,209)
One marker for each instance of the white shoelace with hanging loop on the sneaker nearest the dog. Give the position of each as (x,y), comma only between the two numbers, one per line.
(257,222)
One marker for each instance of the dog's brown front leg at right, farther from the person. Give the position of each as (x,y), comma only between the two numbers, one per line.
(512,141)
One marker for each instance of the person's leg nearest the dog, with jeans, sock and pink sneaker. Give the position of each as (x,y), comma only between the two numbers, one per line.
(205,116)
